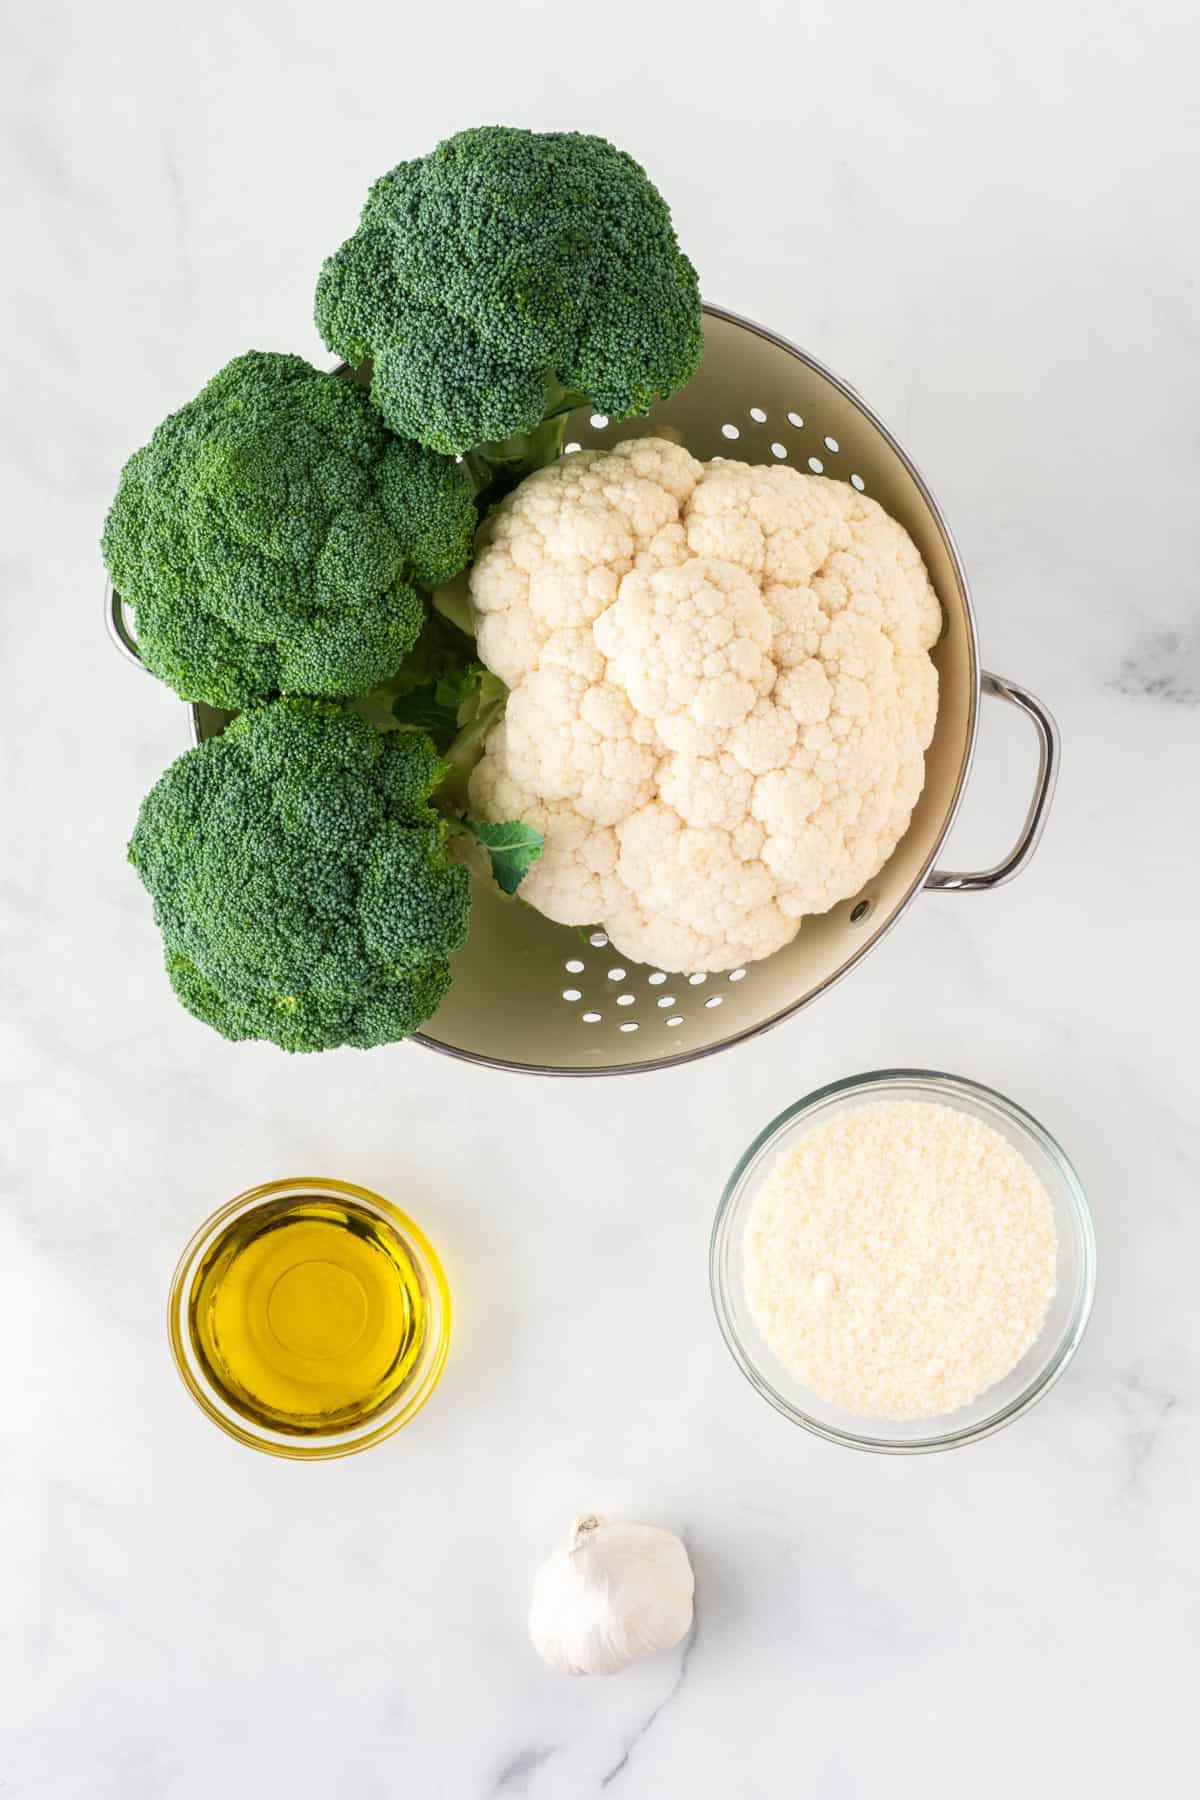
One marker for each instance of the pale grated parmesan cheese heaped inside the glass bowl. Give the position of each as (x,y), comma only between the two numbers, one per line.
(900,1259)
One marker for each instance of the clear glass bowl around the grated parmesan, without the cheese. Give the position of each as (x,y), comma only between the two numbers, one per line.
(1007,1399)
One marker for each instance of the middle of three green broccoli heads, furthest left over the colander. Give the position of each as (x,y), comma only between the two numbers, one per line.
(274,539)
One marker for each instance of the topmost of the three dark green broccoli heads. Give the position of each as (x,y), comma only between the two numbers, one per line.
(506,278)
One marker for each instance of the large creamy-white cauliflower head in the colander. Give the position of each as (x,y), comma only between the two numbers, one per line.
(721,696)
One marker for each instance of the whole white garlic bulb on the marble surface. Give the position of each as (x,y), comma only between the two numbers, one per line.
(616,1592)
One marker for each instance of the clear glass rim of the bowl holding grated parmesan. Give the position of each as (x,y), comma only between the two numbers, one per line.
(945,1086)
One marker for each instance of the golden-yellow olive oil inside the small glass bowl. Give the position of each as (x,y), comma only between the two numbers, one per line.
(309,1315)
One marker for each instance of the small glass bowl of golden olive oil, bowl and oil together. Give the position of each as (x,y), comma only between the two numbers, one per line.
(310,1318)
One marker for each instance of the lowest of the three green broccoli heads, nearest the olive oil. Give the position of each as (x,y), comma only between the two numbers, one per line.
(301,879)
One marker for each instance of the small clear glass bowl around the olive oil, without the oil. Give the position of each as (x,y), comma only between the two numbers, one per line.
(348,1439)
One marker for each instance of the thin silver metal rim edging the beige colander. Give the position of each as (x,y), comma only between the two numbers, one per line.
(125,643)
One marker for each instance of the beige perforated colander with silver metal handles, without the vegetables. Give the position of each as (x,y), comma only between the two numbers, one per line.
(548,1000)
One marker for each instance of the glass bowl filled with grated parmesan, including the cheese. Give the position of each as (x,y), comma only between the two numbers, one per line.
(904,1263)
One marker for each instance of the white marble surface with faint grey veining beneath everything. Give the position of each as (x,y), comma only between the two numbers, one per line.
(985,219)
